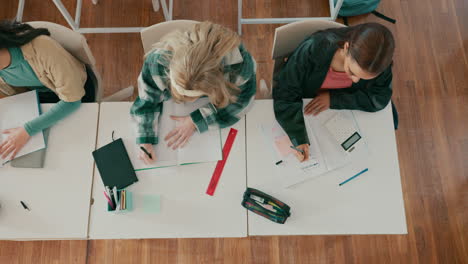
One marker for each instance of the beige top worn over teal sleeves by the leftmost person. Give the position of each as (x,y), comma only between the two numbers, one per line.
(57,69)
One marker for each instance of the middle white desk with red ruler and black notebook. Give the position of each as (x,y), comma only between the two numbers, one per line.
(186,211)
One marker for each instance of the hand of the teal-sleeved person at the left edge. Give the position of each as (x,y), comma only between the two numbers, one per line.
(17,138)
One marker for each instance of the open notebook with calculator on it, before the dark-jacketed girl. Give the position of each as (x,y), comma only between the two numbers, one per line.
(326,154)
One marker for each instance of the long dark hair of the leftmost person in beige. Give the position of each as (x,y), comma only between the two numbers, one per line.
(14,34)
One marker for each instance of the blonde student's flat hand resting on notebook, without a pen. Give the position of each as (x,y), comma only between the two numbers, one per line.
(181,134)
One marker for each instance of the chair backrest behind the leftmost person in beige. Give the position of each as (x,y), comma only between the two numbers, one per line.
(76,45)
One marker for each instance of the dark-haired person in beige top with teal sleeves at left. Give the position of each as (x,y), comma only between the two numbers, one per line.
(31,60)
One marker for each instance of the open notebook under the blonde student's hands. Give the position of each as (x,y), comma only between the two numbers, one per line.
(204,147)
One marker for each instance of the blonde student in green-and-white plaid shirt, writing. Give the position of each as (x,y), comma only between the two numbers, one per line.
(207,60)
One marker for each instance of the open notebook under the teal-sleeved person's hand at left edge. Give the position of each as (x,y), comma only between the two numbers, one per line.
(15,111)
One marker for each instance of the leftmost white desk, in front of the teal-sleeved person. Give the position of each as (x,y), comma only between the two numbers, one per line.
(58,194)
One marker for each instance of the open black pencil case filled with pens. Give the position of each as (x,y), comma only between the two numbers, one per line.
(265,205)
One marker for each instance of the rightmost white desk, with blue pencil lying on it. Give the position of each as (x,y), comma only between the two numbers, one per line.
(370,204)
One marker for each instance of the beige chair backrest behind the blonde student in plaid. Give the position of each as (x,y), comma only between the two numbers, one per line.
(154,33)
